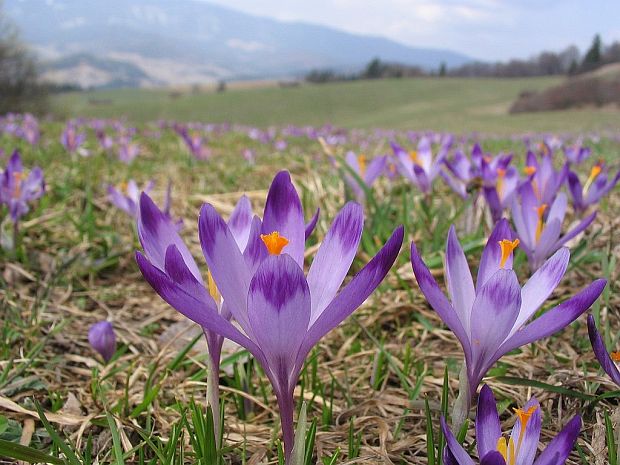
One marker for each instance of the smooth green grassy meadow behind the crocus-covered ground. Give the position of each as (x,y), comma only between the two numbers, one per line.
(447,104)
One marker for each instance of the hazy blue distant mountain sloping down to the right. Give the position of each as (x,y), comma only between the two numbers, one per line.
(163,42)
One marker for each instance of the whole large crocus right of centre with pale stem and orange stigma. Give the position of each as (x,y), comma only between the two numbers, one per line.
(492,317)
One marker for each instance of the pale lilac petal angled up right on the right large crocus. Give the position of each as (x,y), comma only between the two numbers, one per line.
(540,286)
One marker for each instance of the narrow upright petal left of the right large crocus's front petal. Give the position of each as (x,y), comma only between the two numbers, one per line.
(459,281)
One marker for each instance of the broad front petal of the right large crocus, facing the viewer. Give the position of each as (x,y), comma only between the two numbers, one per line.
(495,311)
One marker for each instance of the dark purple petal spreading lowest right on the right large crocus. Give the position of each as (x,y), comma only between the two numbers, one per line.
(555,319)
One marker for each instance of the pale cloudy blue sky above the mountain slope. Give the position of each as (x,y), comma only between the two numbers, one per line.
(485,29)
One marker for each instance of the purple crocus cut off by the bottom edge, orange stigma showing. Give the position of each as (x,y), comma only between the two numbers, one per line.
(522,445)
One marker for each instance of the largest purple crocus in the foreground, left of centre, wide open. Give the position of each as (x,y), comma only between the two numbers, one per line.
(281,312)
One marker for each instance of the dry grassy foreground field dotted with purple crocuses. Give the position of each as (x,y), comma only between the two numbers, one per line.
(222,294)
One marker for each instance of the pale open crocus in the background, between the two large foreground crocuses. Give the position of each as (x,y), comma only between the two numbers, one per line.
(418,166)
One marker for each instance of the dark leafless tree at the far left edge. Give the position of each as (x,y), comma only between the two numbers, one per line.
(20,90)
